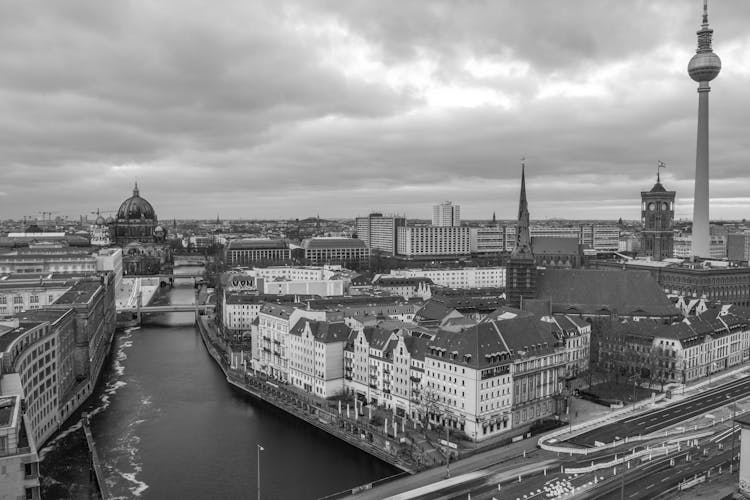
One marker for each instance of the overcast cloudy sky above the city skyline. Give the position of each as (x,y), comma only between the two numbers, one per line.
(287,109)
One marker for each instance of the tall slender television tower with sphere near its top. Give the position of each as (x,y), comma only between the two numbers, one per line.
(703,67)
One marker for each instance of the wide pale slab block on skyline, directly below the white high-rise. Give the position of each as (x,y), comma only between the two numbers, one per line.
(434,241)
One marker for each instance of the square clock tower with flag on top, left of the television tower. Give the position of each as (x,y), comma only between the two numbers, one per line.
(657,217)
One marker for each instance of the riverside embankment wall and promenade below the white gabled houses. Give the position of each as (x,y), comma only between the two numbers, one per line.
(304,410)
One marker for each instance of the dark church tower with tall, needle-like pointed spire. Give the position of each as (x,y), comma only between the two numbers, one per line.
(520,275)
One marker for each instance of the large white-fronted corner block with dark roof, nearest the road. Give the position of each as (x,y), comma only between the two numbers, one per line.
(493,377)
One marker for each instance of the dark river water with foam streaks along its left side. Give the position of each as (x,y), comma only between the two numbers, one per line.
(167,425)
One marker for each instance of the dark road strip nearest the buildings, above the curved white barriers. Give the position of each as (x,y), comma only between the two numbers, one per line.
(673,414)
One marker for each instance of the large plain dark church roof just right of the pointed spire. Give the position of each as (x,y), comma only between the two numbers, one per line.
(595,291)
